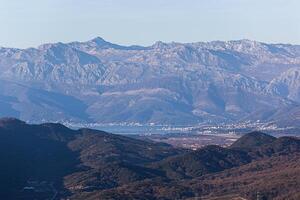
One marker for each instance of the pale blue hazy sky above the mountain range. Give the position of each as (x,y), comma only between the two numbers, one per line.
(26,23)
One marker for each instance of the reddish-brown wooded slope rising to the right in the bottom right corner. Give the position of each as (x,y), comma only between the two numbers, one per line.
(272,178)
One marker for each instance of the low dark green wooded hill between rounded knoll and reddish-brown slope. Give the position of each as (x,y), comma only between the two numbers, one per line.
(209,159)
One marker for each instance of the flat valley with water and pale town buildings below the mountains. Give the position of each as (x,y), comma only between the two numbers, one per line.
(191,137)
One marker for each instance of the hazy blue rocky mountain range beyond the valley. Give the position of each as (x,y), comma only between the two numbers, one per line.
(166,83)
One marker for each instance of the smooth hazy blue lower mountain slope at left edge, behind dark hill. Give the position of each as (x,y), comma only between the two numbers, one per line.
(26,102)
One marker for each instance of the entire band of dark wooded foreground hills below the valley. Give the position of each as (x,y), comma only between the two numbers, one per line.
(51,161)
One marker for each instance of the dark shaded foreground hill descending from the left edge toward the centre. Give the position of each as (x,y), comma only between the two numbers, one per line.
(50,152)
